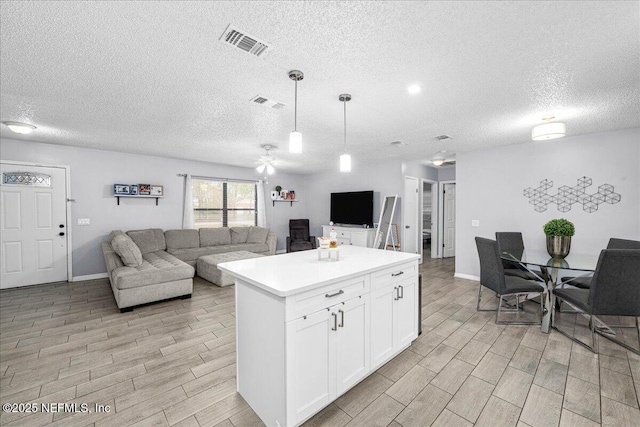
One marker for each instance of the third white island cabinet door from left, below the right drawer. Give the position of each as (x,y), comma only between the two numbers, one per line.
(382,327)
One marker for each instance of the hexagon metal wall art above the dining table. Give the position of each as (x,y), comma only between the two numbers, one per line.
(567,196)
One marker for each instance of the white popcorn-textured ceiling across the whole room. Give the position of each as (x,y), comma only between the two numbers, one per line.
(152,77)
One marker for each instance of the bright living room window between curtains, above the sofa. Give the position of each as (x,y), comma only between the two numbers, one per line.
(219,203)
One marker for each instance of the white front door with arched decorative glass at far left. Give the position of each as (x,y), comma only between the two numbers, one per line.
(33,220)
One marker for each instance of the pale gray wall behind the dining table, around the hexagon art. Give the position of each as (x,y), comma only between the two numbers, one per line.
(490,186)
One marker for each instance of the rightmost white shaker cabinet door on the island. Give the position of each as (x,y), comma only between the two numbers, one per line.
(406,312)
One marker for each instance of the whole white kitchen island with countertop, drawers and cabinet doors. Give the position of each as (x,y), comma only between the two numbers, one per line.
(308,330)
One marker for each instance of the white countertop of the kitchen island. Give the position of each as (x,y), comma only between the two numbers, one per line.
(289,274)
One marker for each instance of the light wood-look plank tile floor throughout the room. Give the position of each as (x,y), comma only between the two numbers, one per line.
(173,363)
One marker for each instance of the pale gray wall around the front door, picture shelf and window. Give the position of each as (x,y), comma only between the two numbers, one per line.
(93,173)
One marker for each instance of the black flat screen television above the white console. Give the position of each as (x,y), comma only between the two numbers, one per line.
(354,207)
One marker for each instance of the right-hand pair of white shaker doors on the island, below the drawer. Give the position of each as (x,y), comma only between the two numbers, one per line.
(394,323)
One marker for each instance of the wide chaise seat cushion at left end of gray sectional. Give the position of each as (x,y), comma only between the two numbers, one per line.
(156,267)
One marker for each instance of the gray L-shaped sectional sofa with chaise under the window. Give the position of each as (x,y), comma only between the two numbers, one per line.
(152,265)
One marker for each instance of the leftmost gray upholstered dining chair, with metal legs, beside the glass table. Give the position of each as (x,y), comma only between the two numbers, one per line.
(492,276)
